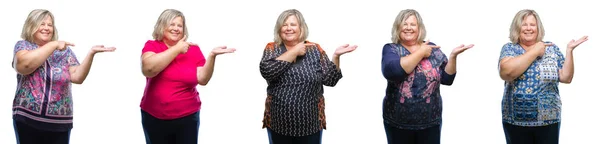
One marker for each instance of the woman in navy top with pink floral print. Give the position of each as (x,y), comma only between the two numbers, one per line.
(412,107)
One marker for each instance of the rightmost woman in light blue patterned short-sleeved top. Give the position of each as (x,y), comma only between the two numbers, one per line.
(532,69)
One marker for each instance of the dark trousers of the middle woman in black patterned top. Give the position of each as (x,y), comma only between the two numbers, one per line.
(275,138)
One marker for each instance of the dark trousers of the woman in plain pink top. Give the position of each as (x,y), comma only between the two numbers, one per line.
(178,131)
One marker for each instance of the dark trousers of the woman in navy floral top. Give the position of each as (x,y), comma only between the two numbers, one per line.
(402,136)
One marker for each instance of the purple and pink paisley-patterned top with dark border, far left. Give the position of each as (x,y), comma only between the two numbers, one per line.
(45,95)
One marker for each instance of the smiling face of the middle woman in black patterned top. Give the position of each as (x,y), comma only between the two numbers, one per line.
(290,30)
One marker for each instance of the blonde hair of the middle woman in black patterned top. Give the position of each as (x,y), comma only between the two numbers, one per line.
(281,20)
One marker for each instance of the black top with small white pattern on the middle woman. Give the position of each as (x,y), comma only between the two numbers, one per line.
(295,105)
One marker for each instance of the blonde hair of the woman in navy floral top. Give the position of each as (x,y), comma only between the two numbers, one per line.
(402,16)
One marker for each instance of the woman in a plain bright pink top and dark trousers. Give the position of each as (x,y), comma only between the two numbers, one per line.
(173,68)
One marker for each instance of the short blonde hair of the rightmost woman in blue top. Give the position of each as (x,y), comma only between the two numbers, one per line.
(515,27)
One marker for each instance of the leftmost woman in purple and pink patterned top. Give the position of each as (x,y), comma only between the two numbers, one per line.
(46,67)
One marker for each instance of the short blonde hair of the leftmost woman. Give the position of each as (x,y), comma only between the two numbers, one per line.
(32,24)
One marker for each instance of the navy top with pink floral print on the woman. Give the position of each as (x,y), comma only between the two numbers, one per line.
(413,100)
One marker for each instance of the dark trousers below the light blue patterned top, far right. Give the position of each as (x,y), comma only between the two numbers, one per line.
(531,135)
